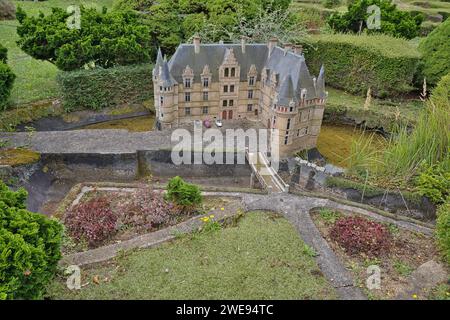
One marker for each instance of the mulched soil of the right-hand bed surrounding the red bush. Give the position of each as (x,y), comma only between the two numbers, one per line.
(407,251)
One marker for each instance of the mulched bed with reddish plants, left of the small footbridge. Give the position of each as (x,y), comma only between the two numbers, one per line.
(104,217)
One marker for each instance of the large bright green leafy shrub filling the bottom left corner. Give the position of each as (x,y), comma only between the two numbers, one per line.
(30,247)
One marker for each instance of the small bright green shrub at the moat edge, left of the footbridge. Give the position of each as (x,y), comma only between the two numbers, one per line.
(182,193)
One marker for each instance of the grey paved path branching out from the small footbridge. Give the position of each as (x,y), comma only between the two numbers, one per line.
(294,208)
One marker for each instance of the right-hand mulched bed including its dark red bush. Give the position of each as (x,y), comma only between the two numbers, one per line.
(397,253)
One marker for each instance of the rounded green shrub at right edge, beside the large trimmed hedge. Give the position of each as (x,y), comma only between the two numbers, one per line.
(436,53)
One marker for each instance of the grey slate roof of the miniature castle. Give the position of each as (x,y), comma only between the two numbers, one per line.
(290,67)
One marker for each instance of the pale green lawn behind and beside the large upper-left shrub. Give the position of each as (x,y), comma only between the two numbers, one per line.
(35,79)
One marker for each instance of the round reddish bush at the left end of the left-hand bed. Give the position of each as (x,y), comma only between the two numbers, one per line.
(92,221)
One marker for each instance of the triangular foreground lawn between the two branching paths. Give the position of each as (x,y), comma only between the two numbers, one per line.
(261,258)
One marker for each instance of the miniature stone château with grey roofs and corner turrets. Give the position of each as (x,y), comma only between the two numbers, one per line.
(261,82)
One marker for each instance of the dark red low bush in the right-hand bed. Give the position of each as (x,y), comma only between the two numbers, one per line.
(359,235)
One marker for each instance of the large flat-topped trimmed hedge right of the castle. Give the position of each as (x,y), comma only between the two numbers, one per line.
(356,62)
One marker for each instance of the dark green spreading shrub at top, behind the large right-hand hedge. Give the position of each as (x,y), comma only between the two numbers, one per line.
(393,21)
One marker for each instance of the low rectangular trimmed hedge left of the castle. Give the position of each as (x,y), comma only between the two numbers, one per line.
(101,88)
